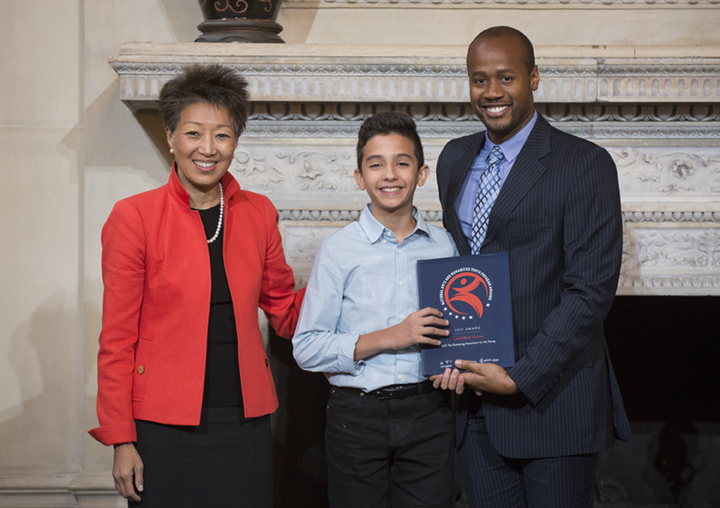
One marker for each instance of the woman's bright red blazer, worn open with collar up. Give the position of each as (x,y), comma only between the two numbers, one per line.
(156,306)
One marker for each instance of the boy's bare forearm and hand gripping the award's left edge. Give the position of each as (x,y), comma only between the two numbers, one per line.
(413,330)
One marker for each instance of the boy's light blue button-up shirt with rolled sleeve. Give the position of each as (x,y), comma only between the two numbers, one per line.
(362,281)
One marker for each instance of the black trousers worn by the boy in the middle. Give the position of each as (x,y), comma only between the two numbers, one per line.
(397,452)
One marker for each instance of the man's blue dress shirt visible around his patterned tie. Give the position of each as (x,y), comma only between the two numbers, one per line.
(465,203)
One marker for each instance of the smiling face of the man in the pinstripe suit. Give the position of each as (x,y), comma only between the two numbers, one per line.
(501,85)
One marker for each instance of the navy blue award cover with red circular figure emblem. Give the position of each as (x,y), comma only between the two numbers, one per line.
(473,293)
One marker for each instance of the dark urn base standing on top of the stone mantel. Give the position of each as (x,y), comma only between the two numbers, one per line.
(240,21)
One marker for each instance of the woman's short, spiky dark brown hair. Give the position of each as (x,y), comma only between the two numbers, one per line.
(214,84)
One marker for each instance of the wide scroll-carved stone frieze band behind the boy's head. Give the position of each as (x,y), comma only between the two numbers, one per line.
(324,171)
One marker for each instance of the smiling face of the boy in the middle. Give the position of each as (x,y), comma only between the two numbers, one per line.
(390,174)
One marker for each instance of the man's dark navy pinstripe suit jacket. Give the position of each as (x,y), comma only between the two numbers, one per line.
(558,215)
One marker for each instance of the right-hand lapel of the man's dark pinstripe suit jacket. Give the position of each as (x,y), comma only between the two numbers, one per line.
(526,170)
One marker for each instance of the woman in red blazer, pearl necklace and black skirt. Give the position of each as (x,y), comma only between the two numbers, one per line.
(184,385)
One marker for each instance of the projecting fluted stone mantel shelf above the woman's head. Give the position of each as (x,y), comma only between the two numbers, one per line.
(429,75)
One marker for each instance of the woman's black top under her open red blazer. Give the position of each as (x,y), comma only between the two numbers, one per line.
(222,370)
